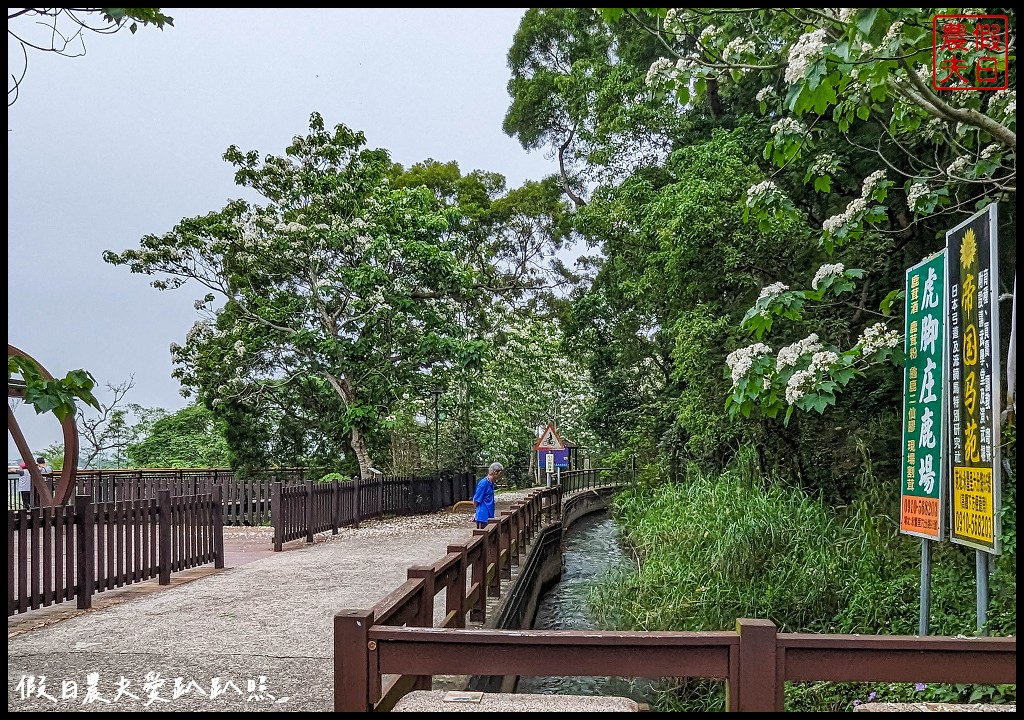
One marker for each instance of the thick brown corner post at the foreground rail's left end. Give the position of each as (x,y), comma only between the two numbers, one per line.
(352,662)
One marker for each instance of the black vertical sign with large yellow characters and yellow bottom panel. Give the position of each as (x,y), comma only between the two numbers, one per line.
(974,383)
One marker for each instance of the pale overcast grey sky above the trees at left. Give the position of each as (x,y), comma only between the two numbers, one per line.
(127,141)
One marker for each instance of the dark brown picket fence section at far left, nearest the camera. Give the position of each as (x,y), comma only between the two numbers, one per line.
(75,552)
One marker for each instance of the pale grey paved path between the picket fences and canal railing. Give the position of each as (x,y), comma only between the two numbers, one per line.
(253,638)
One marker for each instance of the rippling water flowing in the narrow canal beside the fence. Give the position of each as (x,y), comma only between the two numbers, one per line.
(591,548)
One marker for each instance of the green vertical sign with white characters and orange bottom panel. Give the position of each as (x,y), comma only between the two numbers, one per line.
(925,401)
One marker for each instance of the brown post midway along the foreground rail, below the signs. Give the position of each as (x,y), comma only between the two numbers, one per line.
(757,688)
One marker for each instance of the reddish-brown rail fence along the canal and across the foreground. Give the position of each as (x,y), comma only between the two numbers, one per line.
(397,640)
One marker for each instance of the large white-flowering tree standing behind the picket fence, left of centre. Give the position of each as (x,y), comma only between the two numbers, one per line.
(332,306)
